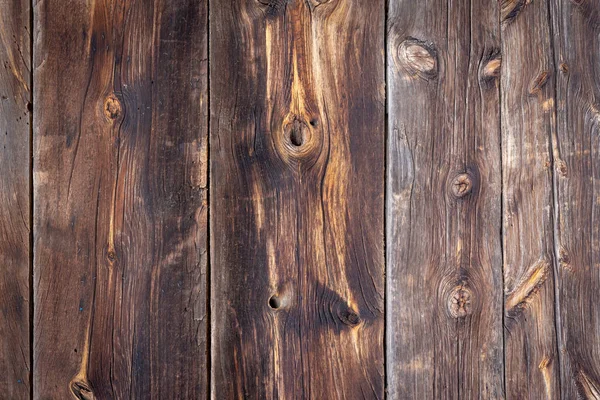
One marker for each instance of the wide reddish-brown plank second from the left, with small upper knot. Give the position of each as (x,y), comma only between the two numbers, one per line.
(120,146)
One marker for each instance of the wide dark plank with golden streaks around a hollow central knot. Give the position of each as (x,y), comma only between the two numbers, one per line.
(297,170)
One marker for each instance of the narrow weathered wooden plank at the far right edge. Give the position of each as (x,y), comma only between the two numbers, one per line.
(576,45)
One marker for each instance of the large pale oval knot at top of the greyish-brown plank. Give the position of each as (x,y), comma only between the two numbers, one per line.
(418,58)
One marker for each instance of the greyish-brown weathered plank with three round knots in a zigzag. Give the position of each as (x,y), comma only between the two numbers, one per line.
(444,259)
